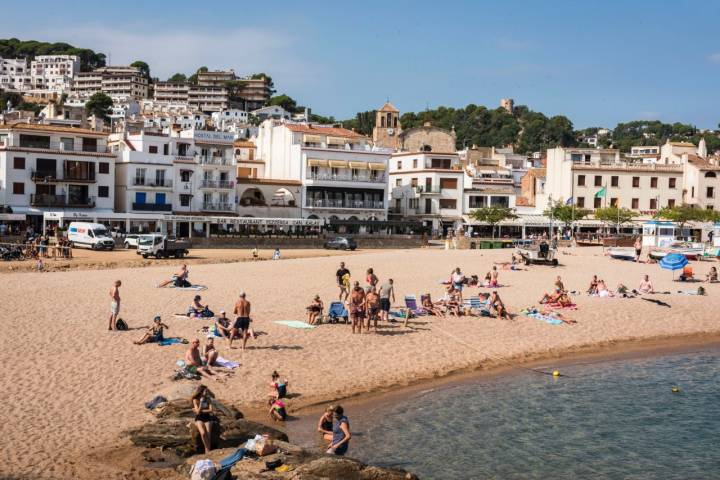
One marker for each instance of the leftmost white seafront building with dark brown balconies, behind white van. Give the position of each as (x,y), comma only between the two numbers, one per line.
(50,168)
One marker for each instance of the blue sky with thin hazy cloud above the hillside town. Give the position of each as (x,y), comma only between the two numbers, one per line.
(596,62)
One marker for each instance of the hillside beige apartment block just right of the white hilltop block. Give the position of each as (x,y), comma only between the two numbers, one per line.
(118,82)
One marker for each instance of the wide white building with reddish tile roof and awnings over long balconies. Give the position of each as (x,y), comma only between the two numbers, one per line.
(340,175)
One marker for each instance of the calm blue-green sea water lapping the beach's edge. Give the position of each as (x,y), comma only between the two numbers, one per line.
(617,419)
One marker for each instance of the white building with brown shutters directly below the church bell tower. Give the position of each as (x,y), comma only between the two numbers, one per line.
(428,187)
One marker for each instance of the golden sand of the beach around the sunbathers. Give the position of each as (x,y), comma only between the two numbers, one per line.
(71,387)
